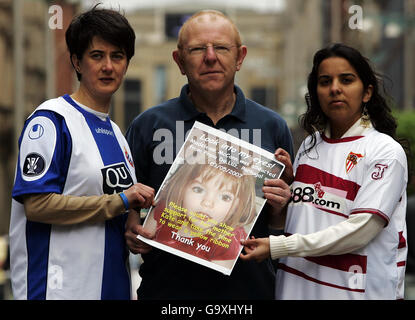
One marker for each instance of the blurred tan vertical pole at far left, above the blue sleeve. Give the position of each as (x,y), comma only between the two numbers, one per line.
(18,58)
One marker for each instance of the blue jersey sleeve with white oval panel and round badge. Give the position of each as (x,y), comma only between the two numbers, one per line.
(45,147)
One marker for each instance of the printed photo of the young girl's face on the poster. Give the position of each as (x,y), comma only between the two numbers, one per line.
(210,210)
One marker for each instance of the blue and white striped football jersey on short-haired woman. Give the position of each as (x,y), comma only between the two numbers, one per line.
(68,150)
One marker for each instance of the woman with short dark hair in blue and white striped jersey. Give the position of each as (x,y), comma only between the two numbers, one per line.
(75,177)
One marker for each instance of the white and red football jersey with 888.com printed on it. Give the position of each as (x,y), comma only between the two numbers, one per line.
(334,180)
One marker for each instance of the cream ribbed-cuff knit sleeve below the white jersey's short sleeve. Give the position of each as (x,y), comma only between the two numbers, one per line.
(344,237)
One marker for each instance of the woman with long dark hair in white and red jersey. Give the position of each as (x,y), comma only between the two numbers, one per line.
(345,230)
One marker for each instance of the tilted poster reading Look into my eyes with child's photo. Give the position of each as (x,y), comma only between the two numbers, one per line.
(211,197)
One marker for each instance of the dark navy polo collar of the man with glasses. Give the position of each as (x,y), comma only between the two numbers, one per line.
(189,111)
